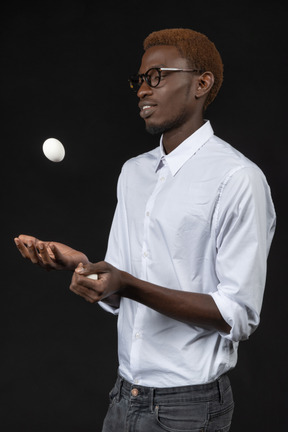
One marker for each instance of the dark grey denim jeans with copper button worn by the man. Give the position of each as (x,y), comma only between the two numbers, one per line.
(200,408)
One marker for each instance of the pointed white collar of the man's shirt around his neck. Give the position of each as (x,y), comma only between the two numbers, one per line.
(176,159)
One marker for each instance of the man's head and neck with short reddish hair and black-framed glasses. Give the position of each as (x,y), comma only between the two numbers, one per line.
(180,74)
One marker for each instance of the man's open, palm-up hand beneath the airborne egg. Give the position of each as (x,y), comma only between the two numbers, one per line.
(49,255)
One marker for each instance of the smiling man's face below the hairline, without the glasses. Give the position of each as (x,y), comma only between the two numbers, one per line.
(171,105)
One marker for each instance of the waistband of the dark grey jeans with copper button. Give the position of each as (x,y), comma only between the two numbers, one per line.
(191,393)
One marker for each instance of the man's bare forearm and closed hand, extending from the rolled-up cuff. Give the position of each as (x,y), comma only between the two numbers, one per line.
(188,307)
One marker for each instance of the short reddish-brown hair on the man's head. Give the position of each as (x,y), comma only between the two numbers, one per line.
(199,51)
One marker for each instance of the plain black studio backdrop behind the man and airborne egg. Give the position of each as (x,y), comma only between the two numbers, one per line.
(64,69)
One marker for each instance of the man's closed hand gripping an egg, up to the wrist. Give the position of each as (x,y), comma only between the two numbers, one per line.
(108,284)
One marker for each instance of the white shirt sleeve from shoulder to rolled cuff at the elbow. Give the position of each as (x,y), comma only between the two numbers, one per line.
(244,231)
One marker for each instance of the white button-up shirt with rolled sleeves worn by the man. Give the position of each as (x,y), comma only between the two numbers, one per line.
(199,219)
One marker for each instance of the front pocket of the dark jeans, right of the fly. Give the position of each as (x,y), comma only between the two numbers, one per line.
(182,418)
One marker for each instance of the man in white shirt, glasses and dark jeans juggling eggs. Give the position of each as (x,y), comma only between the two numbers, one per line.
(186,261)
